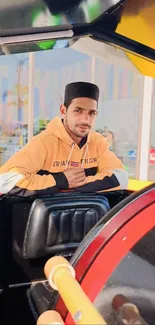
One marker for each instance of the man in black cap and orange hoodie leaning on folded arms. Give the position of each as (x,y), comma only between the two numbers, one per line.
(67,155)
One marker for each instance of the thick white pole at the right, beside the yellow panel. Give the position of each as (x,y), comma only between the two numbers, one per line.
(145,128)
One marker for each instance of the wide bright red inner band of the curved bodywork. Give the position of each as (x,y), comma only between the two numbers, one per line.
(110,256)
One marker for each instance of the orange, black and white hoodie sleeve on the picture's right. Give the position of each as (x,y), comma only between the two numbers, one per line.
(111,174)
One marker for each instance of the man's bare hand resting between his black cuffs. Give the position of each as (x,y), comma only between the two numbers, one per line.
(75,176)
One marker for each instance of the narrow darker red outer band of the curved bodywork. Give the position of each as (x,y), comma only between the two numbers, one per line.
(105,236)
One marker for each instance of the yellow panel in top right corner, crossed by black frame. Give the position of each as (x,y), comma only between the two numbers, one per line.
(139,27)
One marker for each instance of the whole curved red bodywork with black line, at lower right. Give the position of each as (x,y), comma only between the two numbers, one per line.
(114,240)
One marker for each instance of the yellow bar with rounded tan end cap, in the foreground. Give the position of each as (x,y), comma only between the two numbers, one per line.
(61,276)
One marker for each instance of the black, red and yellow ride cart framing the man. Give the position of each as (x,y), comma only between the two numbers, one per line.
(98,249)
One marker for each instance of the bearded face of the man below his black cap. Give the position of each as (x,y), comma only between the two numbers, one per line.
(79,117)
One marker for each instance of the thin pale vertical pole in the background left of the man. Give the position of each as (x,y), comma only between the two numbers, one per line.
(31,96)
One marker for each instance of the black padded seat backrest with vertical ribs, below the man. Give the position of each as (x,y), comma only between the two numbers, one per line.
(58,224)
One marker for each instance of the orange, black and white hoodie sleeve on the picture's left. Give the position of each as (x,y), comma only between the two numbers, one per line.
(20,175)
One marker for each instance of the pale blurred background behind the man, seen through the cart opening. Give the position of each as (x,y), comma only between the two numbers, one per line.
(121,96)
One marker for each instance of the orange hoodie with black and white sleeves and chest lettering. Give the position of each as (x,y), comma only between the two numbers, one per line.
(38,167)
